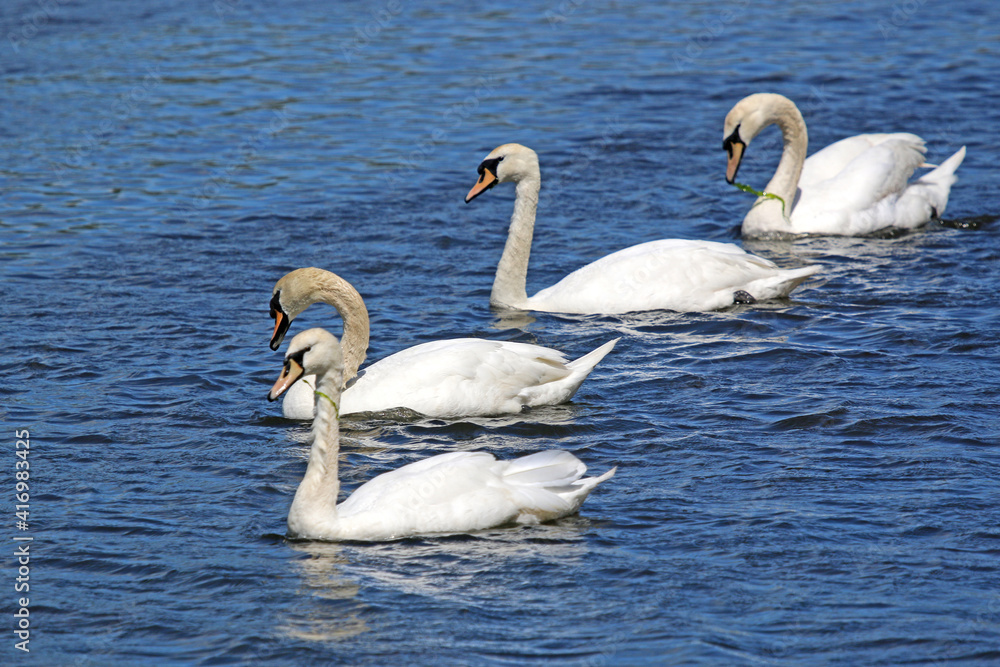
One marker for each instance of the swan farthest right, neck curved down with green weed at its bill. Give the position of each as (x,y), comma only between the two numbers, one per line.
(853,187)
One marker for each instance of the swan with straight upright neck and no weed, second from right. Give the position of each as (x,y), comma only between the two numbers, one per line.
(670,274)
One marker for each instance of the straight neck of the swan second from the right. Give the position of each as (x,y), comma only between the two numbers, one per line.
(512,271)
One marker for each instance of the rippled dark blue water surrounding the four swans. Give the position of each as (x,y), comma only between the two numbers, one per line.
(812,481)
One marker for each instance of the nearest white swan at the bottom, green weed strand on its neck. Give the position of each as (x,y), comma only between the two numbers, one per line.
(448,493)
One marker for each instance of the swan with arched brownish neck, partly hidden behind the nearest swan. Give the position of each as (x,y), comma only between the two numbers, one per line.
(462,377)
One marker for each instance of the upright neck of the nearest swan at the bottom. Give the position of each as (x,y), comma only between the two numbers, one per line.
(315,505)
